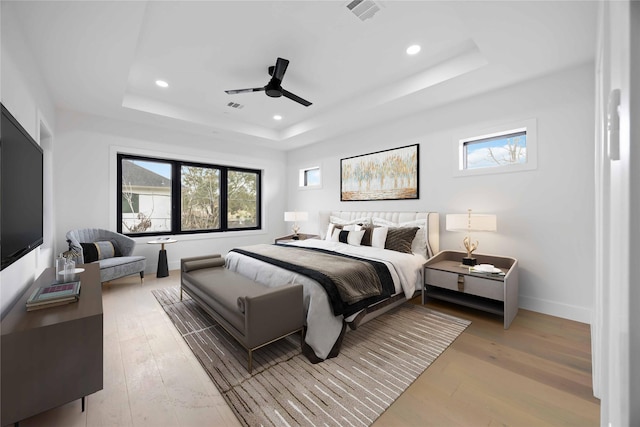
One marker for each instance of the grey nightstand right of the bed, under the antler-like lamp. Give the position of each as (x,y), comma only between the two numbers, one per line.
(445,278)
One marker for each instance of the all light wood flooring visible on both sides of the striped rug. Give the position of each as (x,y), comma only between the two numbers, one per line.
(536,373)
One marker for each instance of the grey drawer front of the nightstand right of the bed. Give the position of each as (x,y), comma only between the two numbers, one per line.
(487,288)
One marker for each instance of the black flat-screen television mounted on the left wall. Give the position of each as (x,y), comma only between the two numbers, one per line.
(21,191)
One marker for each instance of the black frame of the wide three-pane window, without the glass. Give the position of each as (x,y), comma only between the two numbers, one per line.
(176,196)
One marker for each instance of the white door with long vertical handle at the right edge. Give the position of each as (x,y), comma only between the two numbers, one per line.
(615,333)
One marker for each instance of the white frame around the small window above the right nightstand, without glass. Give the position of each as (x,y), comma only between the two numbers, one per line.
(463,139)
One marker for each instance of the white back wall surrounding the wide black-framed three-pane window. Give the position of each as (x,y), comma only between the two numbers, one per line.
(85,183)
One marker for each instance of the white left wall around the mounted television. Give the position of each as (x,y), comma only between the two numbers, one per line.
(24,94)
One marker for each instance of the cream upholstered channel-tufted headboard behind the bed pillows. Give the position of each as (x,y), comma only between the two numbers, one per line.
(397,217)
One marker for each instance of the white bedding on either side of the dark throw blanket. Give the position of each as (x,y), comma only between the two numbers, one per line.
(323,328)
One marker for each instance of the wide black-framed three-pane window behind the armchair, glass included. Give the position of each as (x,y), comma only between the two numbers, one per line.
(160,196)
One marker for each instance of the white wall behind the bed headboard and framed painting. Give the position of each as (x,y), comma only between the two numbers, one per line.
(545,216)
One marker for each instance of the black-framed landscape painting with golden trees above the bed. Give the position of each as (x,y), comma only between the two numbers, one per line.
(383,175)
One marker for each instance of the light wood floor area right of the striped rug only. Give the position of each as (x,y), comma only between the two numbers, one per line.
(536,373)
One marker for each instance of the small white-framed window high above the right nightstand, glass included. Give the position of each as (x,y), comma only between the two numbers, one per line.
(502,150)
